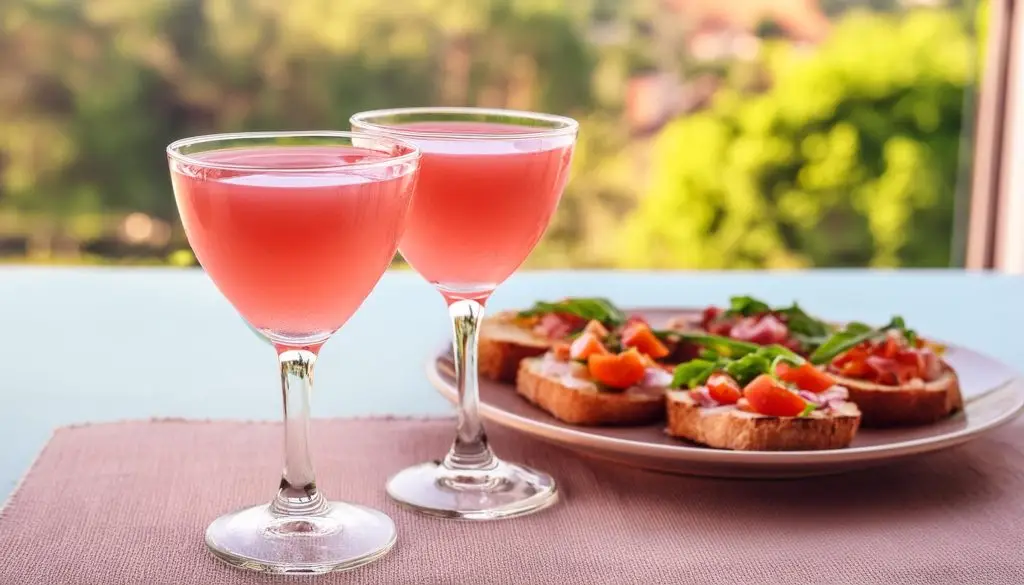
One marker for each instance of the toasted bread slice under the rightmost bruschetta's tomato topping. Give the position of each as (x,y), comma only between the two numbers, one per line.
(914,404)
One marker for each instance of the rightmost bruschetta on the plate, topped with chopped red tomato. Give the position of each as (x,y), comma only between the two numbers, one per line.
(894,377)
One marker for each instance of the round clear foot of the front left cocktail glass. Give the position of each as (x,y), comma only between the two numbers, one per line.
(346,536)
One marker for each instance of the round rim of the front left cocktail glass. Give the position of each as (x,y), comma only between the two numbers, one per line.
(174,150)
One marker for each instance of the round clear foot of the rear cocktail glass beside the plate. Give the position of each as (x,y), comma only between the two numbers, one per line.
(504,491)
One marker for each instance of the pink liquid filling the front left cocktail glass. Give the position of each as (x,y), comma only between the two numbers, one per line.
(295,253)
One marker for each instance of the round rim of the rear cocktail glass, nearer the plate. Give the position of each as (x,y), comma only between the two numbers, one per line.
(566,127)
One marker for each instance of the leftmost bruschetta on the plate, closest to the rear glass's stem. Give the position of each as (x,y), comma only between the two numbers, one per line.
(509,338)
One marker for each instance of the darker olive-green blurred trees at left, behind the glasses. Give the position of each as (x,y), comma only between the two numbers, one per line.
(92,92)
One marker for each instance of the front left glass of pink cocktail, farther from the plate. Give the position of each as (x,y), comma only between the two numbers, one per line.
(295,230)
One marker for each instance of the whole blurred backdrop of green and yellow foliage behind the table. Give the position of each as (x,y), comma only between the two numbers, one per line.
(846,154)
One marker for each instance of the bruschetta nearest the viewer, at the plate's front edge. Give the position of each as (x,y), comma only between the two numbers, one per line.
(759,399)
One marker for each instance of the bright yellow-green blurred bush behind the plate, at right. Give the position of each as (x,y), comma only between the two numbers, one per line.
(849,159)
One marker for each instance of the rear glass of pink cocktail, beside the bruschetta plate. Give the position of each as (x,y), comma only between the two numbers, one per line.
(490,182)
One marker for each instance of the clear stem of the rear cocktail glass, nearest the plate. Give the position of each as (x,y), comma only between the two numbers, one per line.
(471,450)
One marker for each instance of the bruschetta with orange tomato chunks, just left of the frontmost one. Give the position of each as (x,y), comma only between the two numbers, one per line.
(601,379)
